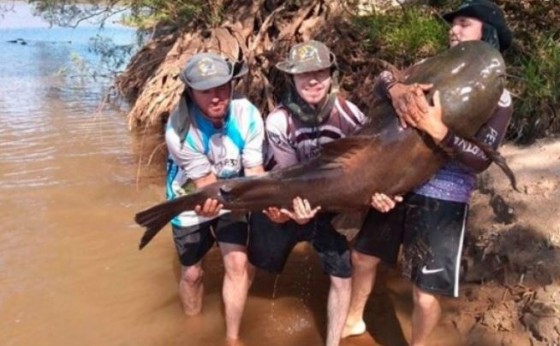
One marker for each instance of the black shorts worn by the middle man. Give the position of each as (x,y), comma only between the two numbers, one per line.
(271,243)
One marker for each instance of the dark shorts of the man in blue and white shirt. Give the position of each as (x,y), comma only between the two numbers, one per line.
(194,242)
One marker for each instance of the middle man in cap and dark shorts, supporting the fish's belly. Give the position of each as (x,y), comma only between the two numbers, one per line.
(311,114)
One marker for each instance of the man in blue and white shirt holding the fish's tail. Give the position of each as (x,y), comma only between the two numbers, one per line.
(211,135)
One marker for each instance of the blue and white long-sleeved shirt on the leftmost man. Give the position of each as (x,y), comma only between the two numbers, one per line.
(224,151)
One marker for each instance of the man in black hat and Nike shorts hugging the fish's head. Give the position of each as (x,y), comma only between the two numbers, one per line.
(430,221)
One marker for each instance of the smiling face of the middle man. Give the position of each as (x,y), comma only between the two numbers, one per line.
(313,87)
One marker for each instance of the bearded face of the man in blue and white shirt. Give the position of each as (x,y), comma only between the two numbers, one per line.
(213,102)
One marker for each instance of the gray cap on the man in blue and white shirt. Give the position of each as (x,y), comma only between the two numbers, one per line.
(205,71)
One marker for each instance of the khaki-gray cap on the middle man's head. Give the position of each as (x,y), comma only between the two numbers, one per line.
(307,57)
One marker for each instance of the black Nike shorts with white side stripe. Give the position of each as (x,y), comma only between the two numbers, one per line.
(431,232)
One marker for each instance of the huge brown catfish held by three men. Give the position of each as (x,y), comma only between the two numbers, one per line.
(381,157)
